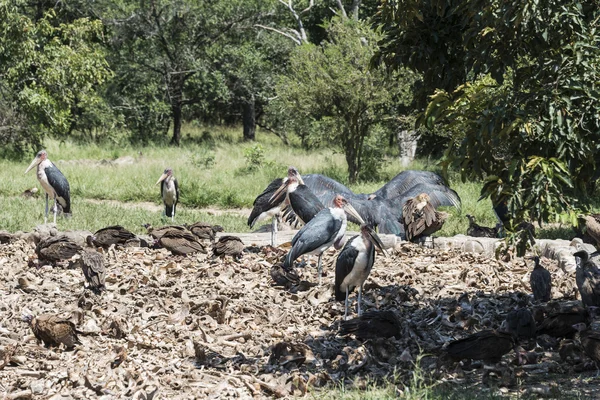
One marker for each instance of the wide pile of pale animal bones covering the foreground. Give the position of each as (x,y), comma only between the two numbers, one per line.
(185,327)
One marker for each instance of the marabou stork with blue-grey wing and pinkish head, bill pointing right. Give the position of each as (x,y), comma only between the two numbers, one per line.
(327,228)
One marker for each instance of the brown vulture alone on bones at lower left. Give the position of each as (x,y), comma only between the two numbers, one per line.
(53,330)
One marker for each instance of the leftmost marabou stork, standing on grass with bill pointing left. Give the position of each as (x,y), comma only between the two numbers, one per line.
(54,183)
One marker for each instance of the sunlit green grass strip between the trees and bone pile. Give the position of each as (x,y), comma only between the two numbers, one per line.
(215,169)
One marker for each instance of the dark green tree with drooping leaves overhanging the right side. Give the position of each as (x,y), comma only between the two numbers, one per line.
(518,87)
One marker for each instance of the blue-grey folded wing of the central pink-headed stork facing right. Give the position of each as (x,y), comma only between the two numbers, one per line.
(319,231)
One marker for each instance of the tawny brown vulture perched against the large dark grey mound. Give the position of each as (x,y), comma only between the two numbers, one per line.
(420,217)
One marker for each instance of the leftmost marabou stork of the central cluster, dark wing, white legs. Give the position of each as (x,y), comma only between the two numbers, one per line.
(267,204)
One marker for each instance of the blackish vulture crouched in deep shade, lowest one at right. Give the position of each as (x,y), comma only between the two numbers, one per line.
(489,345)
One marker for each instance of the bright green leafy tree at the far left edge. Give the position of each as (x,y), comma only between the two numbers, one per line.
(47,70)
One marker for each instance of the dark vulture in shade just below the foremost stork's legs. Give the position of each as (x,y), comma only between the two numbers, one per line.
(373,324)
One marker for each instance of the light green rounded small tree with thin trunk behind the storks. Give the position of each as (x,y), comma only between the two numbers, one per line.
(330,90)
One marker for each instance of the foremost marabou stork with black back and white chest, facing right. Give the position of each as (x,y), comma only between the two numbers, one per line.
(354,264)
